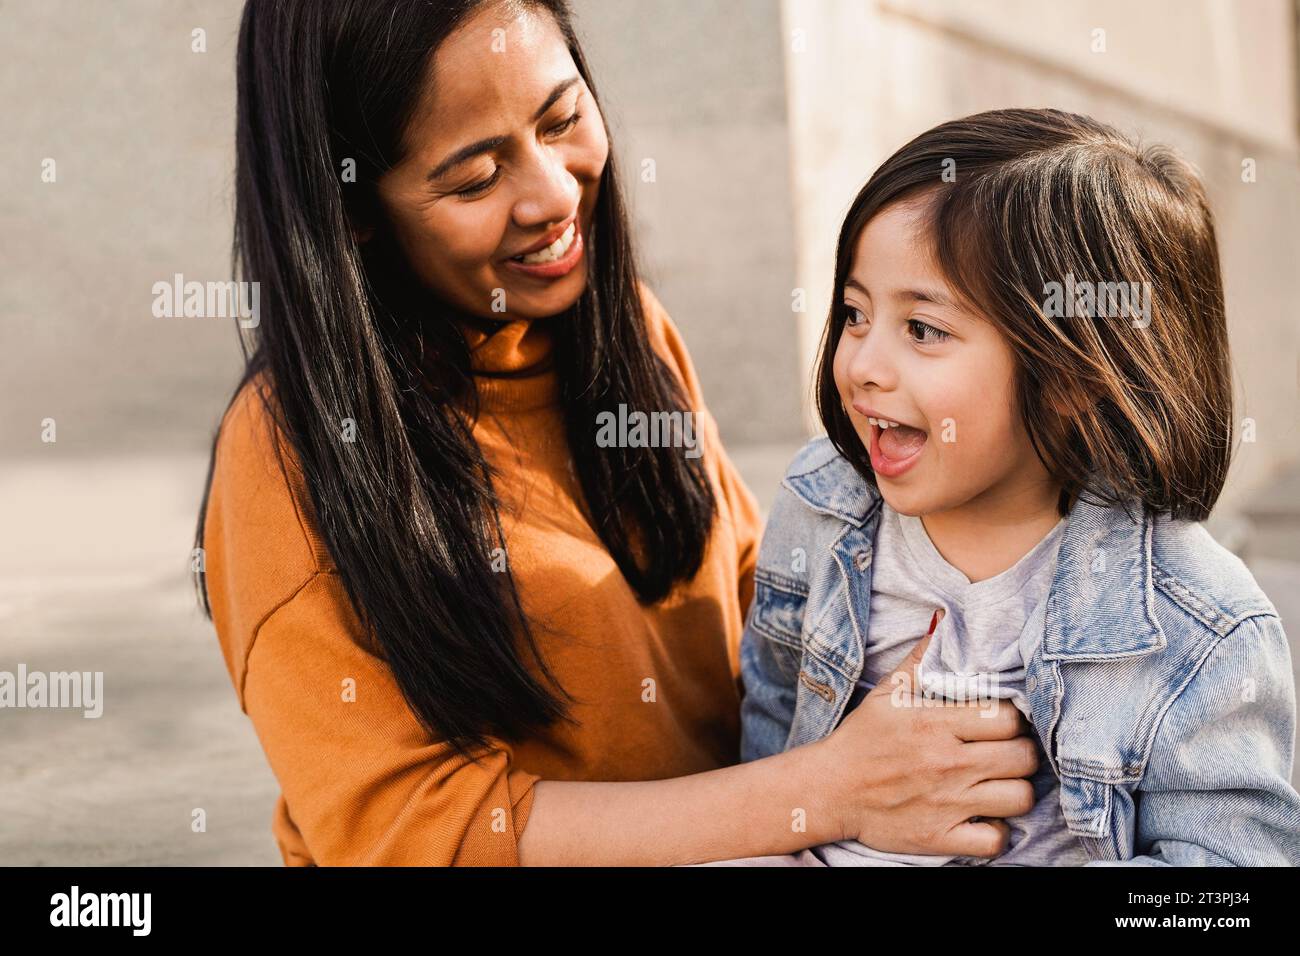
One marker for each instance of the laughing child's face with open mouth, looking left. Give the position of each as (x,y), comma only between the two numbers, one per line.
(912,353)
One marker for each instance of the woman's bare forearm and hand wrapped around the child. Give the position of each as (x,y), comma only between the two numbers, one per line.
(904,780)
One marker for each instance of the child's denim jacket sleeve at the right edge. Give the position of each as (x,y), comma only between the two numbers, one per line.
(1217,790)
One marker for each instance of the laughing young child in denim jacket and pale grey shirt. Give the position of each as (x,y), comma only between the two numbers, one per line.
(1028,399)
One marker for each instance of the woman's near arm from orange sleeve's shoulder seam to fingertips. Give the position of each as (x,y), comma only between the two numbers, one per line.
(366,785)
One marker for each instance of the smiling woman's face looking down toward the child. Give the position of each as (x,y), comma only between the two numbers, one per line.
(505,150)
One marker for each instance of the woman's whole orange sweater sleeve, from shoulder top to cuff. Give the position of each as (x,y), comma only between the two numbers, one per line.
(362,780)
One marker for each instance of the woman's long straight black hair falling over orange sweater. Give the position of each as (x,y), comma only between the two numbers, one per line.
(408,511)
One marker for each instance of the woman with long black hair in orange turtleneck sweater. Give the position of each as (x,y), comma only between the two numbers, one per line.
(465,629)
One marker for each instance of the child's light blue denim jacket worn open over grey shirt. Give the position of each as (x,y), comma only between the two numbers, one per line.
(1162,690)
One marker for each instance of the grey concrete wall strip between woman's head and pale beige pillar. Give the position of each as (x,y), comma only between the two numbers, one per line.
(701,94)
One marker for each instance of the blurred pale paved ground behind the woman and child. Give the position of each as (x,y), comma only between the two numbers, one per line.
(98,582)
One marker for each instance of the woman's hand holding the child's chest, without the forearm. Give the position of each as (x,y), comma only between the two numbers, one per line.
(912,775)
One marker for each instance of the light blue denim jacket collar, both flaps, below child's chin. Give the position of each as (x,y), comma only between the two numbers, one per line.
(1104,568)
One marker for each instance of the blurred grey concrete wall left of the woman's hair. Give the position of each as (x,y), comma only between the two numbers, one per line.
(142,133)
